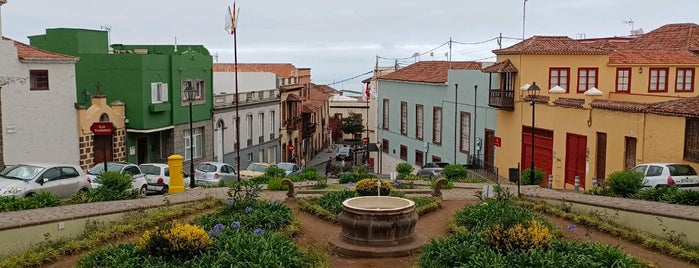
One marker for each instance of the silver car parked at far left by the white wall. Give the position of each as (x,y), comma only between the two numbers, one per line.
(24,180)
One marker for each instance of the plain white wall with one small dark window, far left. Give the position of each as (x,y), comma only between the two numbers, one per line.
(38,126)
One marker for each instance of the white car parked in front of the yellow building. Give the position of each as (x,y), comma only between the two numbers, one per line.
(668,174)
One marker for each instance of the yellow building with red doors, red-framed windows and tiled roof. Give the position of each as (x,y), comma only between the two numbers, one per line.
(605,104)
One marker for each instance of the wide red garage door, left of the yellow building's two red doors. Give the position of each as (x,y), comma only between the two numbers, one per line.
(543,150)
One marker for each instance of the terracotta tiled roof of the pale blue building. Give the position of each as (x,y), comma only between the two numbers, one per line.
(429,71)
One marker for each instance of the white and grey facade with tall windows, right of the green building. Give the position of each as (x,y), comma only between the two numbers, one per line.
(259,109)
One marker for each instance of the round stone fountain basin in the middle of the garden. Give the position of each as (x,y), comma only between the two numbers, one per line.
(377,226)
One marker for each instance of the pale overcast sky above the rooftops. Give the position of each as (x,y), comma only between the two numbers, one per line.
(342,39)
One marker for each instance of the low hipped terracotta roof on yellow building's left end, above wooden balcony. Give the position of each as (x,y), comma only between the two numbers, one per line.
(551,45)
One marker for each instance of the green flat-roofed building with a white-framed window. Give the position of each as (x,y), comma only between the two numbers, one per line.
(150,80)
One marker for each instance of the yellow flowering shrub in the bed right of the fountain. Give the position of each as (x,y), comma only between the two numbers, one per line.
(519,237)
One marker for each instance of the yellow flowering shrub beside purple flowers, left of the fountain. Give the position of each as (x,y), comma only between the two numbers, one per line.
(177,240)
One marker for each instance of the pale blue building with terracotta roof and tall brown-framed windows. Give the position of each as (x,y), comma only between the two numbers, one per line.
(430,112)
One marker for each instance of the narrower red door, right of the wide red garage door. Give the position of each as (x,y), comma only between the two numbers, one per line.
(576,154)
